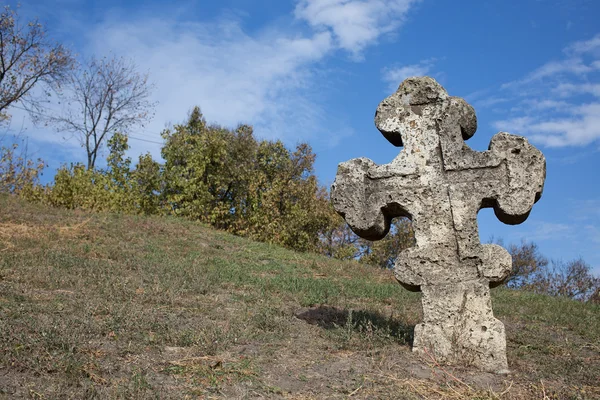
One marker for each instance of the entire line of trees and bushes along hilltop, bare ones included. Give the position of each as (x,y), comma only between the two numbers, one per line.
(223,177)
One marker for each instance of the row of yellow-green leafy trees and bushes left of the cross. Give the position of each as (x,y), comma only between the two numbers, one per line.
(223,177)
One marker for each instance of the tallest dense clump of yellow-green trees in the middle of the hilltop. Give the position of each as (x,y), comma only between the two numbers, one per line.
(258,189)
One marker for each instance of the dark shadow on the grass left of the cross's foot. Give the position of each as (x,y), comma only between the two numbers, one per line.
(329,317)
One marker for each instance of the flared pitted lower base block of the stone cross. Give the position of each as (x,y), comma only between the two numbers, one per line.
(459,326)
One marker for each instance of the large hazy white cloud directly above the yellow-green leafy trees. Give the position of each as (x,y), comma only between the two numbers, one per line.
(263,80)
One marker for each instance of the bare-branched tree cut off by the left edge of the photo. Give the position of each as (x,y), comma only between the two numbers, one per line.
(27,59)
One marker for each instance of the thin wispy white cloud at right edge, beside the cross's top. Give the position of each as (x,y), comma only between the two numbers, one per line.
(558,104)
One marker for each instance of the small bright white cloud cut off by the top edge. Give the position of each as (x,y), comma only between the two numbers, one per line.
(354,23)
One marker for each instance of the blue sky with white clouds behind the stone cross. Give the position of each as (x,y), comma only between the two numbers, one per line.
(315,70)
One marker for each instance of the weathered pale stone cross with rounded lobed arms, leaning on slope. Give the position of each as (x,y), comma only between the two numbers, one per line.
(440,184)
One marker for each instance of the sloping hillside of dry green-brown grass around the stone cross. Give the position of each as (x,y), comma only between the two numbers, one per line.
(114,306)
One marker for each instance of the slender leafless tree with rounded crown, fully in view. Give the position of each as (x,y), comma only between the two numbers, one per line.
(105,96)
